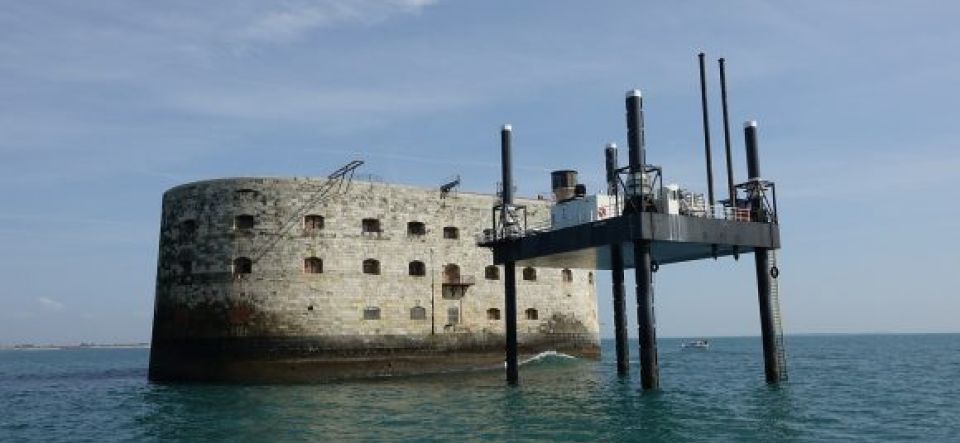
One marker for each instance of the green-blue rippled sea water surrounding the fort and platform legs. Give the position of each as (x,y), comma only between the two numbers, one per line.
(841,388)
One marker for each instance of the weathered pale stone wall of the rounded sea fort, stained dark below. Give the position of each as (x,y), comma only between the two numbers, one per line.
(201,298)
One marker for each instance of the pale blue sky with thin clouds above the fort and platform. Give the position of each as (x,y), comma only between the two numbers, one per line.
(106,104)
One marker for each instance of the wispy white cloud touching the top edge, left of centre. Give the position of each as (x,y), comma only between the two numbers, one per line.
(292,21)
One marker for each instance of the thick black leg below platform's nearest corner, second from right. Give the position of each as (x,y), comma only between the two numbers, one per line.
(649,368)
